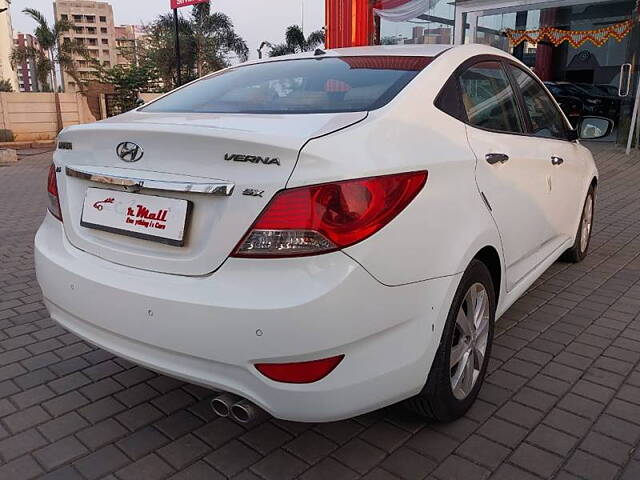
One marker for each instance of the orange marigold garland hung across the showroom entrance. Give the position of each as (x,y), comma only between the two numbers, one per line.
(576,38)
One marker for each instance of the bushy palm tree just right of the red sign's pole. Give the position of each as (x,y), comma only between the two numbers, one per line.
(215,40)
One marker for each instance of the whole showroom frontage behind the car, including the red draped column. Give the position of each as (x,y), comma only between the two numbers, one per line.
(593,80)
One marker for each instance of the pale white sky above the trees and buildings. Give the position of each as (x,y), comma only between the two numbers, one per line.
(255,20)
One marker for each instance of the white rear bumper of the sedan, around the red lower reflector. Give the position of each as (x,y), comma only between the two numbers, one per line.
(211,330)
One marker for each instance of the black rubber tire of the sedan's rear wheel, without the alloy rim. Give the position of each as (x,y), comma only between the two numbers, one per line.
(437,401)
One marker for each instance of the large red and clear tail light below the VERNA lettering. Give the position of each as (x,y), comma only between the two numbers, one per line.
(327,217)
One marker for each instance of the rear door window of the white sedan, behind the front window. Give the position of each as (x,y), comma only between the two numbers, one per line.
(488,98)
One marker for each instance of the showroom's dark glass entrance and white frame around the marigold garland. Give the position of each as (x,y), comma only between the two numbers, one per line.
(600,80)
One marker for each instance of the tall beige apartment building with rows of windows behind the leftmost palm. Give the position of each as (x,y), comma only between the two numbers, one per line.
(94,28)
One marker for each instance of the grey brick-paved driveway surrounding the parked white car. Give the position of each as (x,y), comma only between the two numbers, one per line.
(562,399)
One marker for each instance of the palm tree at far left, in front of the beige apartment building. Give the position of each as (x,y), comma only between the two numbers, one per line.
(57,51)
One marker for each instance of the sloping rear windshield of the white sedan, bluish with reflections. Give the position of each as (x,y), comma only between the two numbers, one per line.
(313,85)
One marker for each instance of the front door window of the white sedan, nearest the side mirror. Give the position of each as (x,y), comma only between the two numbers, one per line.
(546,119)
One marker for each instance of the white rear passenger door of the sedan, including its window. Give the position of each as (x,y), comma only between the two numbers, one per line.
(509,172)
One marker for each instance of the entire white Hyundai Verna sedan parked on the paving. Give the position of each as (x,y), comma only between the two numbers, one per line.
(319,235)
